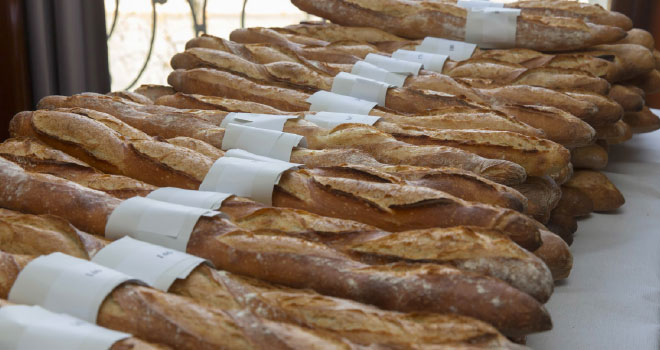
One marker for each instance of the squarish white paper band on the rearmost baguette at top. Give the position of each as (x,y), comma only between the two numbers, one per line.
(492,28)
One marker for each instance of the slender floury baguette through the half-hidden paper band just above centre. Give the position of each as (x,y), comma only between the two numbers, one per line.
(363,137)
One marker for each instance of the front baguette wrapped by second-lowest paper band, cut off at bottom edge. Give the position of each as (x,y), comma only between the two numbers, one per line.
(181,323)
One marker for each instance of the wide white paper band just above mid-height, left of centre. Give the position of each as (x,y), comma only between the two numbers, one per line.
(264,142)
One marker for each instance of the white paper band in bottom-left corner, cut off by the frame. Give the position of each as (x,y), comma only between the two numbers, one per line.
(31,327)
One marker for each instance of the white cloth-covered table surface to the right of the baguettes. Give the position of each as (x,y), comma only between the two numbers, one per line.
(612,298)
